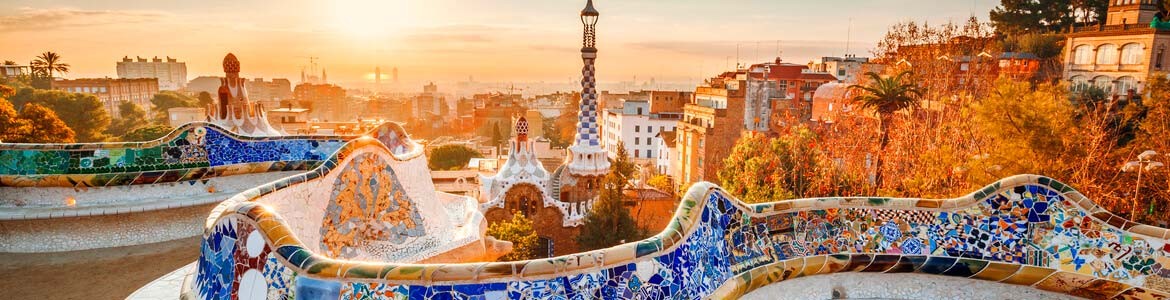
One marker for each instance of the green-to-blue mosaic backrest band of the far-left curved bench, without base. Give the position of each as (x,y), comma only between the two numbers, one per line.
(194,152)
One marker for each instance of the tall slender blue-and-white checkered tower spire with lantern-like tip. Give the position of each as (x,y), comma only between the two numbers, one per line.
(587,155)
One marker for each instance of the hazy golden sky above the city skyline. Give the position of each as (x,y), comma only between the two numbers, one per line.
(450,40)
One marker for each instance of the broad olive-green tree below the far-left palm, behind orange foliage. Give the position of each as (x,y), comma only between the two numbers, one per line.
(84,113)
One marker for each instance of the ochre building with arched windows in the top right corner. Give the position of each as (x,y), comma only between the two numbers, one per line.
(1120,56)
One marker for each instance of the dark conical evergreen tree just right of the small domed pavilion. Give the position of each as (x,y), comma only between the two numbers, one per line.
(609,223)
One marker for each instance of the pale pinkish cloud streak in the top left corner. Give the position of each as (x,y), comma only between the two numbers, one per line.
(42,19)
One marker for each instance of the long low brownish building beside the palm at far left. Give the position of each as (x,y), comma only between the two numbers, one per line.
(113,92)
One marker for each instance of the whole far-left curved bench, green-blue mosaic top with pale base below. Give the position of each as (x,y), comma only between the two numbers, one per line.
(70,197)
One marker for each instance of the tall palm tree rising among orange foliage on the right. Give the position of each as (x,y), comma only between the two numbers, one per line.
(887,97)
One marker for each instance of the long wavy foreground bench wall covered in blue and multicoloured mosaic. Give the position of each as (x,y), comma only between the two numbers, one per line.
(1027,230)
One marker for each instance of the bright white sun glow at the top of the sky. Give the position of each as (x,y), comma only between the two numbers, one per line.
(370,18)
